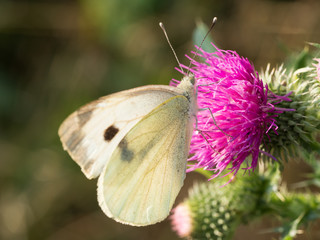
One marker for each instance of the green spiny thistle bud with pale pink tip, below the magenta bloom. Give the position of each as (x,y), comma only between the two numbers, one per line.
(207,214)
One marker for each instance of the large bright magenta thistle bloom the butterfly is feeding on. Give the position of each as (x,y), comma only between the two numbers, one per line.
(242,111)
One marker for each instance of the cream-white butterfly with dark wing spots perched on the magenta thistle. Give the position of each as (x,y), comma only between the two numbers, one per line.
(137,142)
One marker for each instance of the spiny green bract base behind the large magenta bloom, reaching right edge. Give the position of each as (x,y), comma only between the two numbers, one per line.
(298,130)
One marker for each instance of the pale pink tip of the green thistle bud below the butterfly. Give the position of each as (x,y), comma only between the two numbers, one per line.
(181,220)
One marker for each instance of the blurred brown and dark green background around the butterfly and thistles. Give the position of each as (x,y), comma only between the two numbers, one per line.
(58,55)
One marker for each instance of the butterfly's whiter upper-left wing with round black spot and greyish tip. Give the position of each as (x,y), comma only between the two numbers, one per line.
(91,134)
